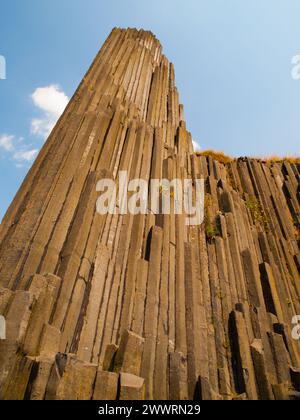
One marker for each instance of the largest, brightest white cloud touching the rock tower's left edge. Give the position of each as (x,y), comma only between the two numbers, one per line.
(52,101)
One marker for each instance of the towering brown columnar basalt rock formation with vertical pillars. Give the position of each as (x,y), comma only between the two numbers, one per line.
(145,307)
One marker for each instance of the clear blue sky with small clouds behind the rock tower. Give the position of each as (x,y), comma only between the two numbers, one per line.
(233,62)
